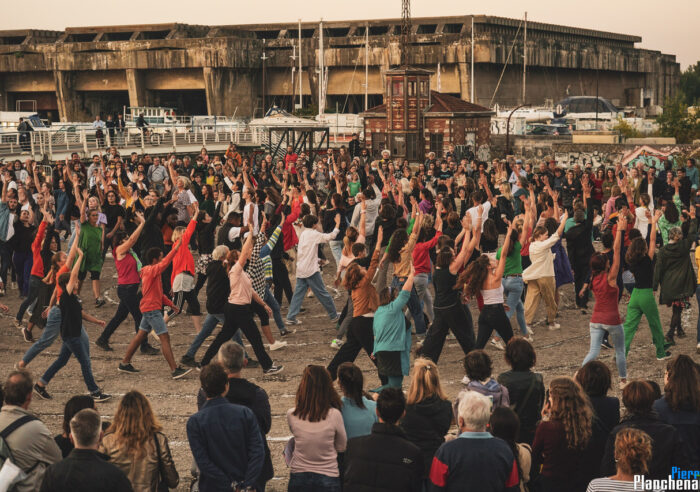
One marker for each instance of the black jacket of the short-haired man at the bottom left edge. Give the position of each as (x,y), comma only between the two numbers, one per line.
(81,471)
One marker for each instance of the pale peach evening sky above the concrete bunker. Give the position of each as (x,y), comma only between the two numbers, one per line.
(670,26)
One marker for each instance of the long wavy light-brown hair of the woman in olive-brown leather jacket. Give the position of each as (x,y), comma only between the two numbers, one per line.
(134,423)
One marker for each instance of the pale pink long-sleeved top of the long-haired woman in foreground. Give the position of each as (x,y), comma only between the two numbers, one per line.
(317,444)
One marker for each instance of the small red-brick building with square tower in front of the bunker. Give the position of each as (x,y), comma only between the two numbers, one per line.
(421,120)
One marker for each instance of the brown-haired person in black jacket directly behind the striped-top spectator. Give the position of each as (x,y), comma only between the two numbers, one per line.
(668,450)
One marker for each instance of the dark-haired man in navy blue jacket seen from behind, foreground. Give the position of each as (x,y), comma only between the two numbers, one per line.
(224,438)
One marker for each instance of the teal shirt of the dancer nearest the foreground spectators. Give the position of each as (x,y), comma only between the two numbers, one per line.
(390,333)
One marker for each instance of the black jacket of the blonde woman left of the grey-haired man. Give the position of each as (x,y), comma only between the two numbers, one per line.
(425,425)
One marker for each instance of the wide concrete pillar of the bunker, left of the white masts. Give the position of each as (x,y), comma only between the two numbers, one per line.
(229,91)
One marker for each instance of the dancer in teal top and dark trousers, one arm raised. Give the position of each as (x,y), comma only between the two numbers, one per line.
(392,335)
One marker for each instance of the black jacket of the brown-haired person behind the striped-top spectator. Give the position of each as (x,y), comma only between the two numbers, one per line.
(667,449)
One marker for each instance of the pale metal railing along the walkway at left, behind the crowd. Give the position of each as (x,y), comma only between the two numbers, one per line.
(55,144)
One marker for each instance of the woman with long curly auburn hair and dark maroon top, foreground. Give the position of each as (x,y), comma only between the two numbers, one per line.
(562,438)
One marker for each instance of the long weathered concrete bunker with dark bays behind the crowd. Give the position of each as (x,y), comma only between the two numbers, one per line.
(73,74)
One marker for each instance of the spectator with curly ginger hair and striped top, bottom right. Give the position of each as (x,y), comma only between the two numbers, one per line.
(633,452)
